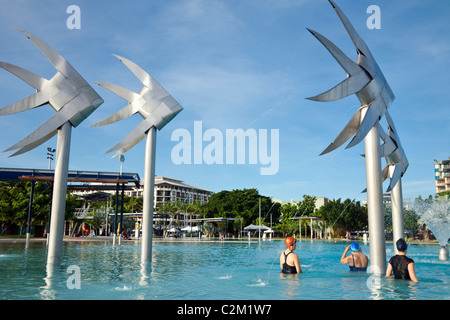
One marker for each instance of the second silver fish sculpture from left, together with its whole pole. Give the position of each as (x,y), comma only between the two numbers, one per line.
(157,107)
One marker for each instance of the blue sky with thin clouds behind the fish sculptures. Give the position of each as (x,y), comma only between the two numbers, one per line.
(237,64)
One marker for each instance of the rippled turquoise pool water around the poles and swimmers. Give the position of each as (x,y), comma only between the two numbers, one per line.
(212,270)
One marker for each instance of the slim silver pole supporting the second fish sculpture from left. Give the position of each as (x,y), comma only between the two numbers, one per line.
(149,187)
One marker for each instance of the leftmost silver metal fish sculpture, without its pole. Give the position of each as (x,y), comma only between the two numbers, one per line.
(66,92)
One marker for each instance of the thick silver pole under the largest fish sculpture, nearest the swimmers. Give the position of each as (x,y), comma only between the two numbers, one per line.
(375,202)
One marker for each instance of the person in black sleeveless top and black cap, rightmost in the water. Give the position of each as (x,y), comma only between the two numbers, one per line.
(400,265)
